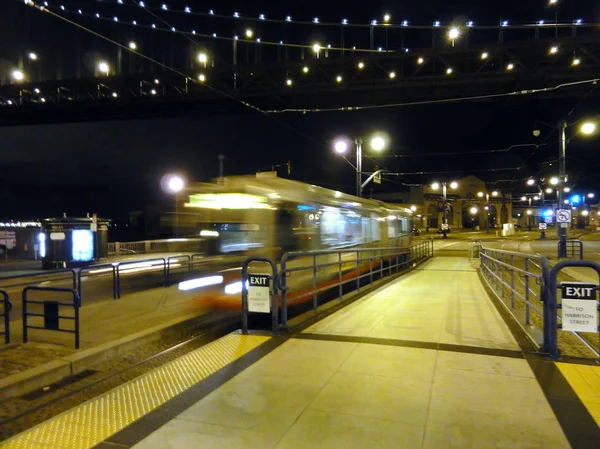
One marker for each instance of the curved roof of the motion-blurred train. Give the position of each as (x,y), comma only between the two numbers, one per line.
(277,189)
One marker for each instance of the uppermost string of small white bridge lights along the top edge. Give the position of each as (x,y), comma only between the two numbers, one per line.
(384,21)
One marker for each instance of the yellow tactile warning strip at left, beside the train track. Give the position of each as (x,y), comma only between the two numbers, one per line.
(94,421)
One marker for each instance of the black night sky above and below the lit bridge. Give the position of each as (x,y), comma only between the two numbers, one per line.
(113,168)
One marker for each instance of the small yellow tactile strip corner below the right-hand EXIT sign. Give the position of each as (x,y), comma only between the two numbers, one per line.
(585,381)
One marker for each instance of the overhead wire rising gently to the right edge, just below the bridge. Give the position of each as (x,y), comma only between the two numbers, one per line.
(441,101)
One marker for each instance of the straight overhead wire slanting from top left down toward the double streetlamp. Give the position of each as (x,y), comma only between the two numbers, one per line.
(185,76)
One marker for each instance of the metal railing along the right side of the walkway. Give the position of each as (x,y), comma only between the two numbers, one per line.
(519,281)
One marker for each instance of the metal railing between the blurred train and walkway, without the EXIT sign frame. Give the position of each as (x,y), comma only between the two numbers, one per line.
(347,267)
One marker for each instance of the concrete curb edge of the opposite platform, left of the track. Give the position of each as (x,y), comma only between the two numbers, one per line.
(56,370)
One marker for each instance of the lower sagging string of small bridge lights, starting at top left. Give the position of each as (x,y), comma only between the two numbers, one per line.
(247,37)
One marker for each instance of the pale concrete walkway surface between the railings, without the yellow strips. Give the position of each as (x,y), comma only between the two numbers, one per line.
(425,362)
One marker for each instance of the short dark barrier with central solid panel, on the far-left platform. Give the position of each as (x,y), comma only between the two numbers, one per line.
(51,313)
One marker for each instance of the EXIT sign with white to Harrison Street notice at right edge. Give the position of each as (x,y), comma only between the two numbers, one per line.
(579,308)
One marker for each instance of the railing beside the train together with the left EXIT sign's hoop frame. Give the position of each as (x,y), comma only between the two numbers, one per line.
(307,276)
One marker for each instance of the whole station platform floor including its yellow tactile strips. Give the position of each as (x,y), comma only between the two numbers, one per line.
(425,361)
